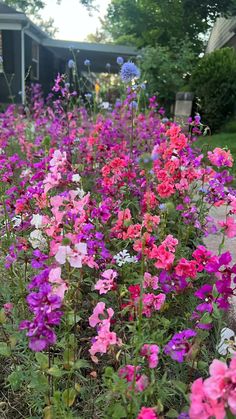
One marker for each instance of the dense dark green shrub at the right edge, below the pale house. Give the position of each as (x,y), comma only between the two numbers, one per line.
(214,83)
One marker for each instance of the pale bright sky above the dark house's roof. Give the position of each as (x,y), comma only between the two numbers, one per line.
(72,19)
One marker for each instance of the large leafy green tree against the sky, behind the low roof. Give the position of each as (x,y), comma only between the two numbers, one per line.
(151,22)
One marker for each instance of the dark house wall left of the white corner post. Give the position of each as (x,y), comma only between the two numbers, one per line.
(12,66)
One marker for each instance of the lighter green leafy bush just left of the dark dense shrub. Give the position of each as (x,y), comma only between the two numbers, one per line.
(167,70)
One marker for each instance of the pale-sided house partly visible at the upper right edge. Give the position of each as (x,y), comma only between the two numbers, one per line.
(223,34)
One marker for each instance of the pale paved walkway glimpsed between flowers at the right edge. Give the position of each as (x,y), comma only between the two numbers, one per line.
(212,242)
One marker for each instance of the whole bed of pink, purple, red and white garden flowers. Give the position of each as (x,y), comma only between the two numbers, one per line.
(111,305)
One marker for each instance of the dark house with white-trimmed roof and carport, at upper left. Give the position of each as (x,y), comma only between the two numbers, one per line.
(29,55)
